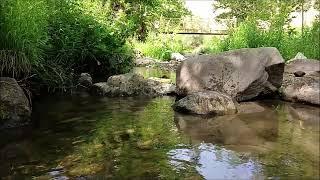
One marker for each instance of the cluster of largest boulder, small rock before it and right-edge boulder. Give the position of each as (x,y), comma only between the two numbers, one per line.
(214,84)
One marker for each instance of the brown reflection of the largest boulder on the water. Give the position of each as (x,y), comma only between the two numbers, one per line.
(238,131)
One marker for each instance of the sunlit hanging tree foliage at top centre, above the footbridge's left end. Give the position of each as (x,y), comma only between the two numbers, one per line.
(141,14)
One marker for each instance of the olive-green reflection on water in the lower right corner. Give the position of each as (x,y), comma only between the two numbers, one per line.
(296,151)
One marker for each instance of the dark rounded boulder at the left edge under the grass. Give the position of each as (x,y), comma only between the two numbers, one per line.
(15,109)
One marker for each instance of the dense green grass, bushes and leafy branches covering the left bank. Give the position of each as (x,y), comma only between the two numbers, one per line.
(48,42)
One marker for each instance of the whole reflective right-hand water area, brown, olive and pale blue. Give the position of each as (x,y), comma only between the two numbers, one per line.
(281,141)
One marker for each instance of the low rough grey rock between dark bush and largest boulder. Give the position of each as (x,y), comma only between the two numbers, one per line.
(132,84)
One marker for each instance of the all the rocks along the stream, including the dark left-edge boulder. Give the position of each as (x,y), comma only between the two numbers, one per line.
(205,84)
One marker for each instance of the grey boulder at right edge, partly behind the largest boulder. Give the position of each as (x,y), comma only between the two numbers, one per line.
(304,88)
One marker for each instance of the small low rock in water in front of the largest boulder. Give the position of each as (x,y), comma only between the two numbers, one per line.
(208,102)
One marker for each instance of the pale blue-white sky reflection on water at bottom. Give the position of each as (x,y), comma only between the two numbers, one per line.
(213,162)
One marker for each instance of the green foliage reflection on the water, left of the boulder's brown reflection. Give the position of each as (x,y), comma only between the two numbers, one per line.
(129,143)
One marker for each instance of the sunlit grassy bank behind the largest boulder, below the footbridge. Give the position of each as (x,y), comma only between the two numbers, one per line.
(247,35)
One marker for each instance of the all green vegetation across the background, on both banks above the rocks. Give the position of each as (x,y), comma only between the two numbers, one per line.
(48,42)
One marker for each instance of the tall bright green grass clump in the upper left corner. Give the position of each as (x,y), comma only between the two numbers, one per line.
(23,35)
